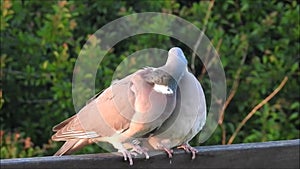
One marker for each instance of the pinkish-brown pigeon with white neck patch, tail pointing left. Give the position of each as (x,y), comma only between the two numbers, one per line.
(129,108)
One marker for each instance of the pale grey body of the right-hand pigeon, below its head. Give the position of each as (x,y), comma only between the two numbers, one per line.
(185,122)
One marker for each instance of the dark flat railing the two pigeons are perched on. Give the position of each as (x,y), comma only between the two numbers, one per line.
(274,154)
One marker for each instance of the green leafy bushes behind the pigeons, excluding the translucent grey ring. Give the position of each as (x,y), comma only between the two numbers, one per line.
(258,42)
